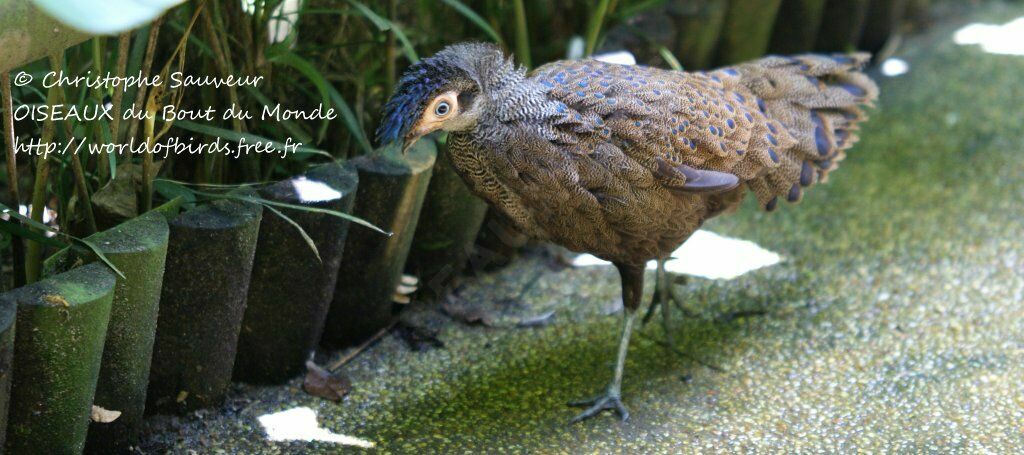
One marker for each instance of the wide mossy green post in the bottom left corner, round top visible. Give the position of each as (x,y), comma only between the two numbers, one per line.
(62,326)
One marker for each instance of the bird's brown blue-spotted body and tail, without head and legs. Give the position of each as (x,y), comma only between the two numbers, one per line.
(610,172)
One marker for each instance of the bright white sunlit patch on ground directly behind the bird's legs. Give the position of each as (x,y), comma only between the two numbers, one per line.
(709,256)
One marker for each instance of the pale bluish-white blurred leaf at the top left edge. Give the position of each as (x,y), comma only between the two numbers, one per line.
(105,17)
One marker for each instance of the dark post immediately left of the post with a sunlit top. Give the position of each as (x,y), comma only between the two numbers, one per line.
(209,261)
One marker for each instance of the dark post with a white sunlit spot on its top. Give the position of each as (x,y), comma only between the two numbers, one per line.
(291,289)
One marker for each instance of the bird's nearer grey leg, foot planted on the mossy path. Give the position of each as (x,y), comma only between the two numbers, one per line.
(632,277)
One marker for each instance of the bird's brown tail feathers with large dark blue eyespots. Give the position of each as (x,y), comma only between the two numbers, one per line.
(819,99)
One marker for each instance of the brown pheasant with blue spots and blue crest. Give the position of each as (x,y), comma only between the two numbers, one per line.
(627,162)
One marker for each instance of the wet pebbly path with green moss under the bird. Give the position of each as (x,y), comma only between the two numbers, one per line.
(895,323)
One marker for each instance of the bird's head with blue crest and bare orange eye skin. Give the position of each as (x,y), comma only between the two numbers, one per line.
(439,94)
